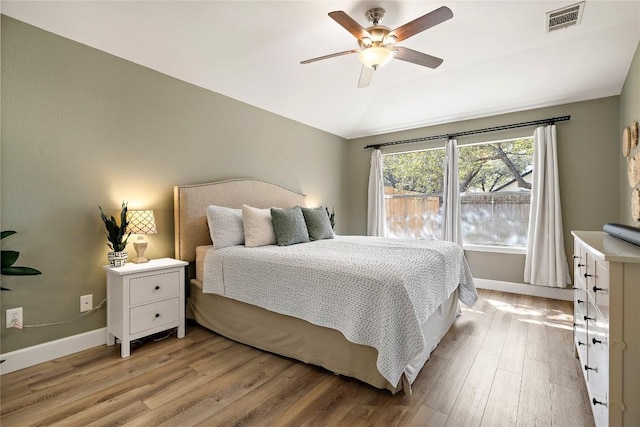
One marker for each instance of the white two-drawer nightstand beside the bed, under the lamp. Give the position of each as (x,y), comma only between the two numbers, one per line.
(143,299)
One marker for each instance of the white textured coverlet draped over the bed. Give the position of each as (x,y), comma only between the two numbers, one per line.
(376,291)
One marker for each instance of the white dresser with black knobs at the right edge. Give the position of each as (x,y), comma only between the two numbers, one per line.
(607,325)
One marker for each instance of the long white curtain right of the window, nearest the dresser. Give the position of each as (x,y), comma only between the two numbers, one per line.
(546,261)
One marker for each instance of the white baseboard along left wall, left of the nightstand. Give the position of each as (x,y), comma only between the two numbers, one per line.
(45,352)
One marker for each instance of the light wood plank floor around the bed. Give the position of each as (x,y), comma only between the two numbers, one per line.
(508,361)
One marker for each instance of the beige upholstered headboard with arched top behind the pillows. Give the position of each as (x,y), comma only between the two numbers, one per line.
(190,207)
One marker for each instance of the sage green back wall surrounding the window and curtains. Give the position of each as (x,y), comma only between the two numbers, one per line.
(588,157)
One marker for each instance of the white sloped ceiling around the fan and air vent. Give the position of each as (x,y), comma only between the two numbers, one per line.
(497,55)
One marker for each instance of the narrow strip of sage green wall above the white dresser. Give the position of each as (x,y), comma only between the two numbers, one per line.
(629,111)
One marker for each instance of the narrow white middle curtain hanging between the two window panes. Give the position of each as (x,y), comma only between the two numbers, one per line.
(451,196)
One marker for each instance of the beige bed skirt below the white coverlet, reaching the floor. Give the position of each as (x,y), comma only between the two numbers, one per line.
(296,338)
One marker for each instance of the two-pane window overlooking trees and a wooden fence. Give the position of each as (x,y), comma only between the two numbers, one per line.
(495,192)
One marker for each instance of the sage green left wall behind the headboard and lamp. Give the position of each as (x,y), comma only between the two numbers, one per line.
(81,127)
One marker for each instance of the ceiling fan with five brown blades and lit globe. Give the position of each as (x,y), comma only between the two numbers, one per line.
(378,43)
